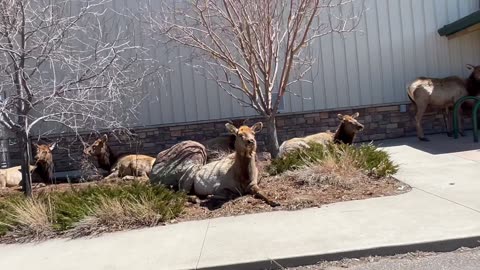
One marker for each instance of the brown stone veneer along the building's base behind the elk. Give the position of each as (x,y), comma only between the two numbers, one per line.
(382,122)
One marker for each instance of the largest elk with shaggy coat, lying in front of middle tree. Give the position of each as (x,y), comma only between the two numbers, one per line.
(224,179)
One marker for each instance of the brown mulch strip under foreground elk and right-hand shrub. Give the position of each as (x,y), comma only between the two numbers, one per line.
(294,194)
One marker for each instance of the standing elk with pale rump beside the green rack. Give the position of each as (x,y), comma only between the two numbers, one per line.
(441,93)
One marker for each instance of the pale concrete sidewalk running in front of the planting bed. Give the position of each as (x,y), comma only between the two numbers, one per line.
(442,212)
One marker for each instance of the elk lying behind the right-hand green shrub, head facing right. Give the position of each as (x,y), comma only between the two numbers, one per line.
(345,133)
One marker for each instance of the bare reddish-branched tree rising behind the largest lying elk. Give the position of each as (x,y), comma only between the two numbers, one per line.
(254,49)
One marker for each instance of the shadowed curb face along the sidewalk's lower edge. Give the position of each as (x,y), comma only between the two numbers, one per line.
(435,246)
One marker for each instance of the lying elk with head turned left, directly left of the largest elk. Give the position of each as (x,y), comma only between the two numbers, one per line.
(124,167)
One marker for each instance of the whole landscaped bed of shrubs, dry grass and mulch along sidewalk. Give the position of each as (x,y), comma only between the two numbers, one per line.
(308,178)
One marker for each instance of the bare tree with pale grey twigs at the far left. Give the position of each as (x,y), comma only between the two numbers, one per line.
(66,62)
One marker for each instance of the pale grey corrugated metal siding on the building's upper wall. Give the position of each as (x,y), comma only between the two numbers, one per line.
(398,41)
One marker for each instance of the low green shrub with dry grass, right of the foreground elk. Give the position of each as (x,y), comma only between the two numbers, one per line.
(367,157)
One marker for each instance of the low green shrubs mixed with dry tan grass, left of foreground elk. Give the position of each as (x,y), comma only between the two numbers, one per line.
(112,206)
